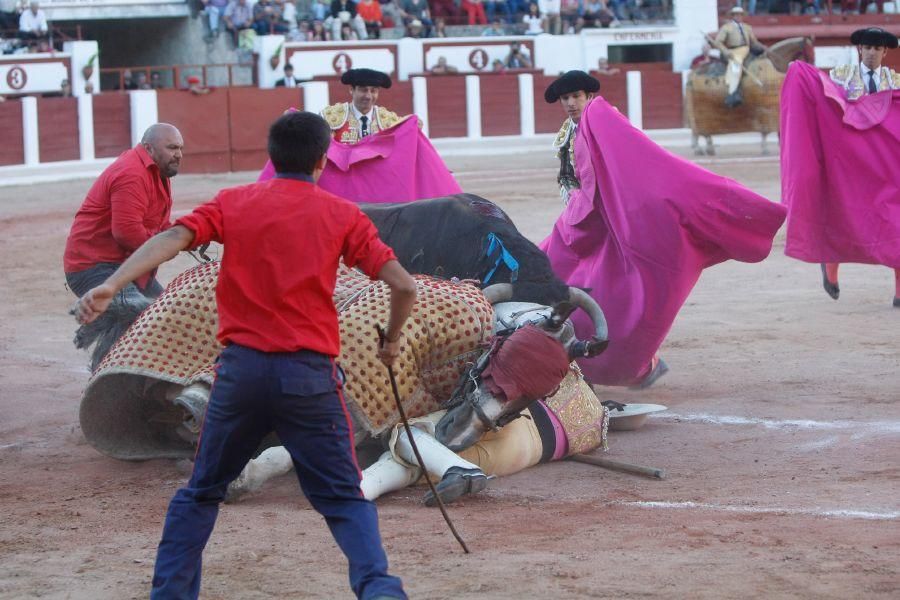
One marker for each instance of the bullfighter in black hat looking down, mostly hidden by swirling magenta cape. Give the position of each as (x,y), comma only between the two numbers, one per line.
(573,90)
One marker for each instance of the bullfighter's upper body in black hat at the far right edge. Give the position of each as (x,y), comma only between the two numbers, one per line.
(868,76)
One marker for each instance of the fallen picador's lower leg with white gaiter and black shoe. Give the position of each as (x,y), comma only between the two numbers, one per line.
(458,476)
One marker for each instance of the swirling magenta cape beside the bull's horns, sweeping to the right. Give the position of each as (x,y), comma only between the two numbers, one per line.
(640,230)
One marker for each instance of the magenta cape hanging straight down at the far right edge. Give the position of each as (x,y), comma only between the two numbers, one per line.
(839,172)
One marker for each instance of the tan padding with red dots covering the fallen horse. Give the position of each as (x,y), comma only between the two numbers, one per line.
(175,340)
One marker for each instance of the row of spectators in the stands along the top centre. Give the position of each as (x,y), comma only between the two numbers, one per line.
(323,20)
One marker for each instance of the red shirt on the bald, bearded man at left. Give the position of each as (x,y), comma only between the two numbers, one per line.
(127,205)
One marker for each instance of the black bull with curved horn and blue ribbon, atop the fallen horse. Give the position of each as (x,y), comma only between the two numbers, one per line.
(450,237)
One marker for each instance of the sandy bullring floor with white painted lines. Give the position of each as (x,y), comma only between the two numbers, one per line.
(780,445)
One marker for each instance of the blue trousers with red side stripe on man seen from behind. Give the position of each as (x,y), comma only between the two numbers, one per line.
(297,395)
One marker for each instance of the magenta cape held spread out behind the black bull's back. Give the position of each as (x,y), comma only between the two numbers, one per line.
(394,165)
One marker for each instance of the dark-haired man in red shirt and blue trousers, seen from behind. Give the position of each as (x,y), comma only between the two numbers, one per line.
(283,239)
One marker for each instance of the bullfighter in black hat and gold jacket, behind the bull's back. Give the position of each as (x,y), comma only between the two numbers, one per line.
(361,117)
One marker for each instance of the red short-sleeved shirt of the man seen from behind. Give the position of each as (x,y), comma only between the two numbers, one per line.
(283,239)
